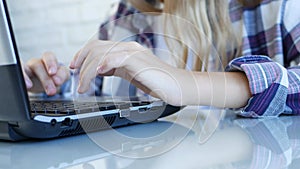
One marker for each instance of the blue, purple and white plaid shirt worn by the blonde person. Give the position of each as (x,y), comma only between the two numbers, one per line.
(271,42)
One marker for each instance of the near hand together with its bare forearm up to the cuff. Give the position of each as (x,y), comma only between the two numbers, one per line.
(138,65)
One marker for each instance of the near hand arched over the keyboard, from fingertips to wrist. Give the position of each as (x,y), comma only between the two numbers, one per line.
(130,61)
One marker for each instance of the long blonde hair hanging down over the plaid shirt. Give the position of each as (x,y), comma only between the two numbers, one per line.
(203,25)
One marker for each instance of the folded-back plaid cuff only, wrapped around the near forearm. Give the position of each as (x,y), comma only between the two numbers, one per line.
(268,83)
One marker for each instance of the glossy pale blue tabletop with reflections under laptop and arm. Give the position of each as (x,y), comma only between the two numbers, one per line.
(192,138)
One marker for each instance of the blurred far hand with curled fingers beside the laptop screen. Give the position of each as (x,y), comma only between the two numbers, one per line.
(45,74)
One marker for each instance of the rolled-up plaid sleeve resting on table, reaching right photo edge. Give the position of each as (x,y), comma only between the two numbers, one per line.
(275,89)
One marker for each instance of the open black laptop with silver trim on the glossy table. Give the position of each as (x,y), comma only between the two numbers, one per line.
(22,117)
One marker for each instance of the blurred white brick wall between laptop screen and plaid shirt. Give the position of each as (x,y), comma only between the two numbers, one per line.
(60,26)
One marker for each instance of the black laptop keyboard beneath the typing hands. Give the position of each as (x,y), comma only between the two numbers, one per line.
(70,108)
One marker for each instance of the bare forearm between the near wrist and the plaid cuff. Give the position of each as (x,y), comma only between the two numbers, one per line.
(219,89)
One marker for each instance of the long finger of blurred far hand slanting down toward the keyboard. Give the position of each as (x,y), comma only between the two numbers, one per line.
(37,67)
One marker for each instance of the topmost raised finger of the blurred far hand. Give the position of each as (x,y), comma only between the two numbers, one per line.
(50,62)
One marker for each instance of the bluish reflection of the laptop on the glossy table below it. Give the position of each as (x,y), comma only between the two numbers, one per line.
(131,142)
